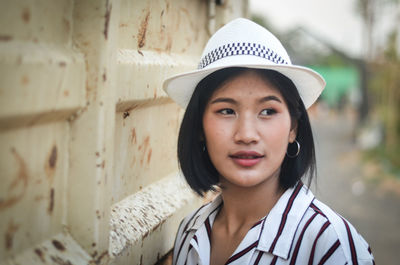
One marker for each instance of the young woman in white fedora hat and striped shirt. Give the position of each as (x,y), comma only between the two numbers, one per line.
(246,132)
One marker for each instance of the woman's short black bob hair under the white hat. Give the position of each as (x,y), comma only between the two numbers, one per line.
(195,163)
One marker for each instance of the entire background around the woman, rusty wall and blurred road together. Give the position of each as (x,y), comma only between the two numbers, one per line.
(88,164)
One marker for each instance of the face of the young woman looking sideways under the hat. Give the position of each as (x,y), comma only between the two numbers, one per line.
(247,128)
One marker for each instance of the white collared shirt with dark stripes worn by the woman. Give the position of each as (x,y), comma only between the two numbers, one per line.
(298,230)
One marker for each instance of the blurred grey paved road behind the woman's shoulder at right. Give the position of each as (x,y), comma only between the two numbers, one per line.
(374,211)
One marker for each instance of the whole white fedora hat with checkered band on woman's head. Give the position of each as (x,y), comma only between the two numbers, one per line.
(243,43)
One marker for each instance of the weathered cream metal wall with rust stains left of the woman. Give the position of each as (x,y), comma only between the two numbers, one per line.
(88,138)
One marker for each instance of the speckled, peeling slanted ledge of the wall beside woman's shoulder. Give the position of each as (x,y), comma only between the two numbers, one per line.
(138,219)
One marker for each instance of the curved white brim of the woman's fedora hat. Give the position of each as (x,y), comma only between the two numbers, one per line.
(308,82)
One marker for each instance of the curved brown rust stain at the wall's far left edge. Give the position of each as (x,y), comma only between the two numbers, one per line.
(20,180)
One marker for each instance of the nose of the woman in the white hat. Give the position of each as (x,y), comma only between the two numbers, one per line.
(246,131)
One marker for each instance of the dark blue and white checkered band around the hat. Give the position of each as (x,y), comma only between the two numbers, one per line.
(243,48)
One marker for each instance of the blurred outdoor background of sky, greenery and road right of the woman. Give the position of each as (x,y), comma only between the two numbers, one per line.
(355,46)
